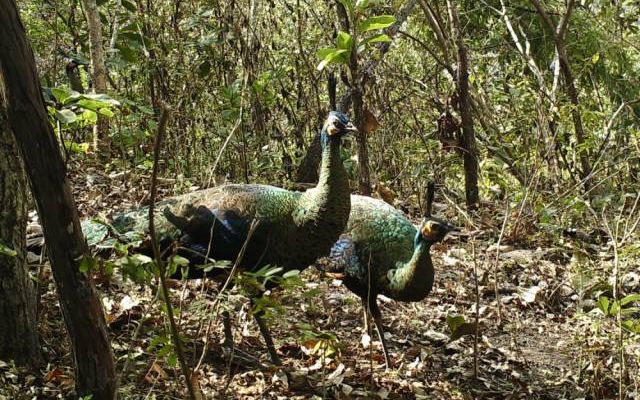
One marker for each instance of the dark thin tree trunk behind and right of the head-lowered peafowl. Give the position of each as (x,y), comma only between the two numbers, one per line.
(470,155)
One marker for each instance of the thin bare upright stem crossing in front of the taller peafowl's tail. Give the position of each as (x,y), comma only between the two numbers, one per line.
(162,127)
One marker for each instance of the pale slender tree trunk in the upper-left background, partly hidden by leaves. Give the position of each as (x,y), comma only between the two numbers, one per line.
(99,71)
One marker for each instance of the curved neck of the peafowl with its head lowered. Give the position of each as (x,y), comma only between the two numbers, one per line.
(413,280)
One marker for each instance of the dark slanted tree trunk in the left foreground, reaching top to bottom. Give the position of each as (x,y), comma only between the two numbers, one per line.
(28,120)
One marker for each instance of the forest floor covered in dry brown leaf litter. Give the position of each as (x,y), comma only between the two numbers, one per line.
(540,333)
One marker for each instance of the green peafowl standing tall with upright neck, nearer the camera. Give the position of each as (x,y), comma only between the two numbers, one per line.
(293,230)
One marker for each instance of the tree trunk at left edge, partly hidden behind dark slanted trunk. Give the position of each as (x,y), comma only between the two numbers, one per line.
(19,339)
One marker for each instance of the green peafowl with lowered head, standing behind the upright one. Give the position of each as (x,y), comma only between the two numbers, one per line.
(381,252)
